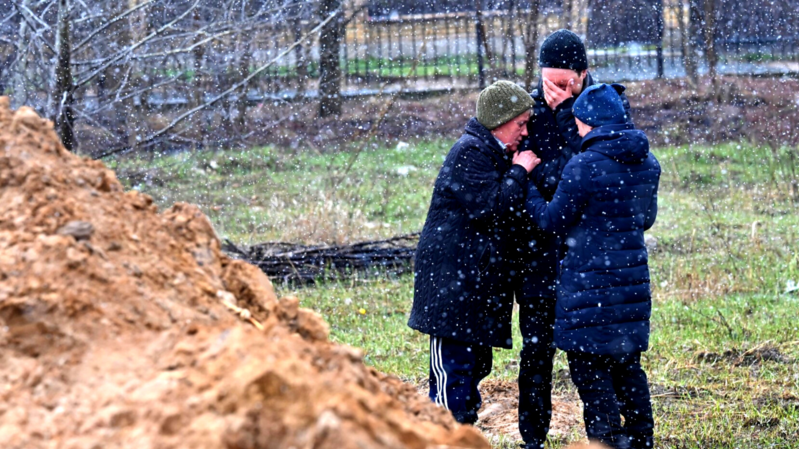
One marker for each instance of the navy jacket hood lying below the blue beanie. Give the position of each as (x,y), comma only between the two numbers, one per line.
(622,143)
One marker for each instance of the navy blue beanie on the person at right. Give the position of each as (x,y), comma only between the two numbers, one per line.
(600,105)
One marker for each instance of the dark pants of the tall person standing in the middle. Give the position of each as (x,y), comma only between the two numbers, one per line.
(537,323)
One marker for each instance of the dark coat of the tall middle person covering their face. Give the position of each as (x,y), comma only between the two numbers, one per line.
(553,136)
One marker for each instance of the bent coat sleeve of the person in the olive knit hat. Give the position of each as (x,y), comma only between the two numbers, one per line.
(485,192)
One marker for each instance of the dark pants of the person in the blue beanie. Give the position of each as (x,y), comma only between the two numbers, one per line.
(611,386)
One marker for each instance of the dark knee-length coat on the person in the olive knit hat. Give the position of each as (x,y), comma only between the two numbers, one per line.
(462,278)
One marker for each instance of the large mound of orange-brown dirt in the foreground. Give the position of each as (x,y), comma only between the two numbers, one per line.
(124,327)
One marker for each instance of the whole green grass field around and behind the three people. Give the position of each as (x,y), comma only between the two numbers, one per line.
(724,363)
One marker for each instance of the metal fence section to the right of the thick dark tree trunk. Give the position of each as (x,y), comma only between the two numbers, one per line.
(436,50)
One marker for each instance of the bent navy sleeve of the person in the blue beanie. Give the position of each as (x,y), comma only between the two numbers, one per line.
(566,206)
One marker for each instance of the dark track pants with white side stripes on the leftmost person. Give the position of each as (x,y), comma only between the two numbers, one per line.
(456,368)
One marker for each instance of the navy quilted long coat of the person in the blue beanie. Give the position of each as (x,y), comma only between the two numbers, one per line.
(605,200)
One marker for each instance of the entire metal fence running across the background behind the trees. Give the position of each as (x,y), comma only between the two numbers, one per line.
(443,51)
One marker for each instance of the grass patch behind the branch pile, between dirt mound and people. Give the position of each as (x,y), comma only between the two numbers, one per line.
(263,194)
